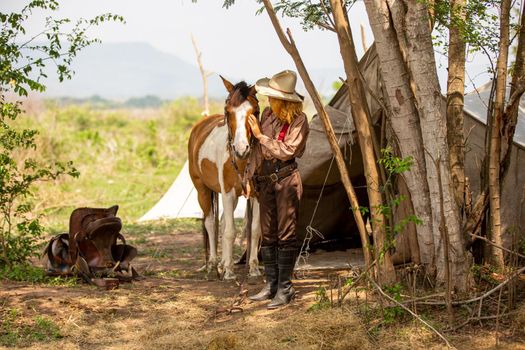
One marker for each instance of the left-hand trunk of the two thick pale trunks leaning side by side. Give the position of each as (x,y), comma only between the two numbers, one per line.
(403,119)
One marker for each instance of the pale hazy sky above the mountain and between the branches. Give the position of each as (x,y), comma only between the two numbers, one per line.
(234,42)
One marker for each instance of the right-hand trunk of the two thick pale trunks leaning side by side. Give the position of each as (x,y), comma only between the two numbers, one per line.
(412,26)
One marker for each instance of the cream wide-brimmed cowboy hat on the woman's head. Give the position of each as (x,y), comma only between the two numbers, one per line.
(281,85)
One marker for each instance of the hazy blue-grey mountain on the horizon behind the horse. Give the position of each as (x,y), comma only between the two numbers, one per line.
(126,70)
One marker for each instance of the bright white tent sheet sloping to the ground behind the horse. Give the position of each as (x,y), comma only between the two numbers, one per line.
(180,201)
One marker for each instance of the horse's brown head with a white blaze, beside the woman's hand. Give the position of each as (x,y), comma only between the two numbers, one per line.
(240,103)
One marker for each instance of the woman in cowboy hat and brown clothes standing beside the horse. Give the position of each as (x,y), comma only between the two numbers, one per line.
(272,169)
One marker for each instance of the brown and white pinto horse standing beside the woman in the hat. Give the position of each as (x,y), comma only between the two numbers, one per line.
(217,156)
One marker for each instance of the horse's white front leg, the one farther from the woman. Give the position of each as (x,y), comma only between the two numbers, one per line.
(229,201)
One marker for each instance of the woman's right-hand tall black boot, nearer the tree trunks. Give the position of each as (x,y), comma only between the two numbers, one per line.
(285,291)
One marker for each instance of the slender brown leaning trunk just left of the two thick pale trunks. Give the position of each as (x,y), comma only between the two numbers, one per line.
(362,121)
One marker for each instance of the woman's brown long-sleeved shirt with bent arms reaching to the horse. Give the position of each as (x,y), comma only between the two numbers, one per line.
(269,147)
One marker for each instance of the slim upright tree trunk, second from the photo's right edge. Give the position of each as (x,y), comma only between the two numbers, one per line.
(496,255)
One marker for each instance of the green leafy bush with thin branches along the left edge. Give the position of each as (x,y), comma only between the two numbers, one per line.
(22,68)
